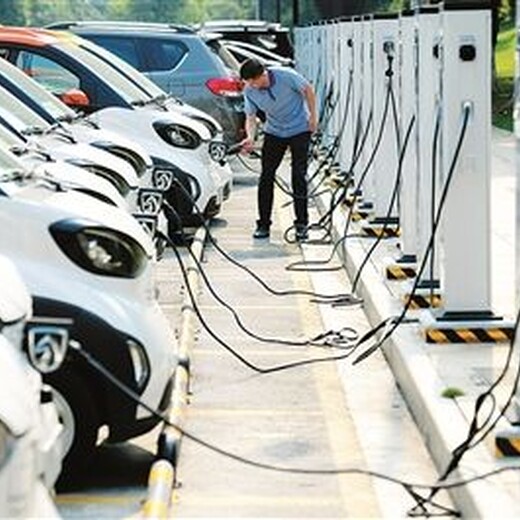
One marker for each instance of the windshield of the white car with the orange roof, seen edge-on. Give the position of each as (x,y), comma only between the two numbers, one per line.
(125,88)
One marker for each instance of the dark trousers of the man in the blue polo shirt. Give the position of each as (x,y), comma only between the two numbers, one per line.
(273,151)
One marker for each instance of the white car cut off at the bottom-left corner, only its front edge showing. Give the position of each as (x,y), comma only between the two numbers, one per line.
(31,436)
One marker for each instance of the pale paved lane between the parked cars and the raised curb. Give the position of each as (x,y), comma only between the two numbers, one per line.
(320,416)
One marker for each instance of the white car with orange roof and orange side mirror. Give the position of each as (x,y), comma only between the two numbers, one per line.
(172,139)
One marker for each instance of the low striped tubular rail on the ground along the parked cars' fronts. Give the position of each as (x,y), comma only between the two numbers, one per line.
(163,473)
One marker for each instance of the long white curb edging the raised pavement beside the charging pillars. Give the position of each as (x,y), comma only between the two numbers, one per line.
(440,421)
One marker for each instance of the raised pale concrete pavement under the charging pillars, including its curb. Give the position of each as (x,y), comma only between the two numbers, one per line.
(424,371)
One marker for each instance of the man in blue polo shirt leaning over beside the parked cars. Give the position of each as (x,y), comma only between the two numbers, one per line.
(289,103)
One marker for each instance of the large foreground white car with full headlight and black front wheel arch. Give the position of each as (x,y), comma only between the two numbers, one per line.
(85,260)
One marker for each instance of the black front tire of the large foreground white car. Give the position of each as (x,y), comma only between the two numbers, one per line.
(77,413)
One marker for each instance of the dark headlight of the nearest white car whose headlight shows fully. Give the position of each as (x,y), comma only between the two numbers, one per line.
(99,249)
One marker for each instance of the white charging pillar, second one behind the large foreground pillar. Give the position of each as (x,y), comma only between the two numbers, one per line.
(408,103)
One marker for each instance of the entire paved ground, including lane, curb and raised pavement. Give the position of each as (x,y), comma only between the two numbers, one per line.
(326,415)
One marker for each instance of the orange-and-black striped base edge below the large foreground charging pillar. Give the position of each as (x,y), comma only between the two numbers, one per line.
(468,335)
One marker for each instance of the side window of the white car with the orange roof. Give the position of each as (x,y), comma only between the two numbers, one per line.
(48,73)
